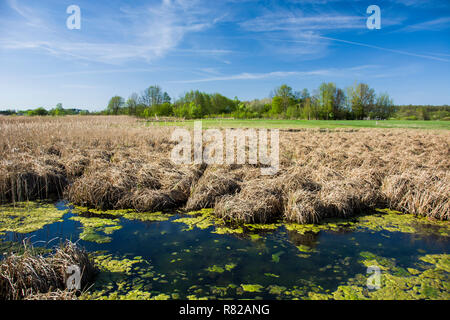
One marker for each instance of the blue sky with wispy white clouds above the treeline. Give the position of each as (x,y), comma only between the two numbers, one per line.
(237,48)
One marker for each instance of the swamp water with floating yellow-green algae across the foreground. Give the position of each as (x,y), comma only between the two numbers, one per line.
(195,256)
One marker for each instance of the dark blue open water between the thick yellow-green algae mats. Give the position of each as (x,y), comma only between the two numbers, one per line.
(198,263)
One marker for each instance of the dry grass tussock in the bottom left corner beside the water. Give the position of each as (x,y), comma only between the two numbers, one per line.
(31,275)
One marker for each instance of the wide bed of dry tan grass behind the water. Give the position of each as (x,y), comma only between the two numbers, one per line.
(117,162)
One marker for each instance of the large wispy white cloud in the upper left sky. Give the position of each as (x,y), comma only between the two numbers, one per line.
(149,32)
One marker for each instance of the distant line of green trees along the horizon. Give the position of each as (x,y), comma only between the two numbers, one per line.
(328,102)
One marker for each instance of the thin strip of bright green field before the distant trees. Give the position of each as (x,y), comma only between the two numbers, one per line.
(298,124)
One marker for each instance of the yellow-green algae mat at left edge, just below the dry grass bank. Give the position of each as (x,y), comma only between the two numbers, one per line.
(27,217)
